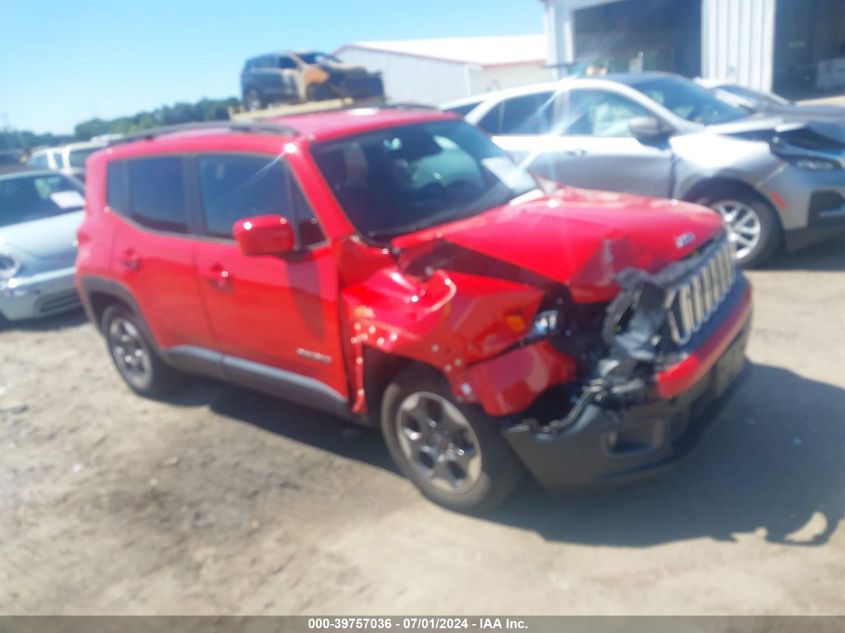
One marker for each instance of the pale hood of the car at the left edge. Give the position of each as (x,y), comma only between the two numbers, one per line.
(50,239)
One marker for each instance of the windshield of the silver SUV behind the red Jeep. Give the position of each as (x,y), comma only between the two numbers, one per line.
(689,101)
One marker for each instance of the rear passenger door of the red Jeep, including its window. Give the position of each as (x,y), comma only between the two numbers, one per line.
(152,249)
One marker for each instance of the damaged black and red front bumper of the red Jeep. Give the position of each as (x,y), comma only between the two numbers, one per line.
(609,443)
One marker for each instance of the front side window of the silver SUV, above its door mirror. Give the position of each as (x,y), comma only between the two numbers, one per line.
(598,113)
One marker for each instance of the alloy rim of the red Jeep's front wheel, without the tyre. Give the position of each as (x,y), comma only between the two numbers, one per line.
(438,441)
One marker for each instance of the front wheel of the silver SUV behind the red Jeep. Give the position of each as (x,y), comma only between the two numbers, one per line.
(752,225)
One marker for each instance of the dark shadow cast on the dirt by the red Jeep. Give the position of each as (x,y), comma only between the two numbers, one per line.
(772,465)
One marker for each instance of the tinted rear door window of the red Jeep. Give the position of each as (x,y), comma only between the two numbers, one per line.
(157,193)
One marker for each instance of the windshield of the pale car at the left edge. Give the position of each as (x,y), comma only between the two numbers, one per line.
(27,198)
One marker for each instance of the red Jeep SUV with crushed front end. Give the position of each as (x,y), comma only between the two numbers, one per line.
(395,267)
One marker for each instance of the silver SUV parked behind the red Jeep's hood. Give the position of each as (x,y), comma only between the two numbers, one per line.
(774,181)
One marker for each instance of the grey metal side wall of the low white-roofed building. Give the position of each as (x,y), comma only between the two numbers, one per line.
(408,78)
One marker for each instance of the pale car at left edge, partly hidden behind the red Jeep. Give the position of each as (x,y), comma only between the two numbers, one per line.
(40,212)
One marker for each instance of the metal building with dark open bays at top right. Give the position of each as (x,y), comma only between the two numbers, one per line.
(795,47)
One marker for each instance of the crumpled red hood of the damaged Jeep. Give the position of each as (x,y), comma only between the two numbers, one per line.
(577,237)
